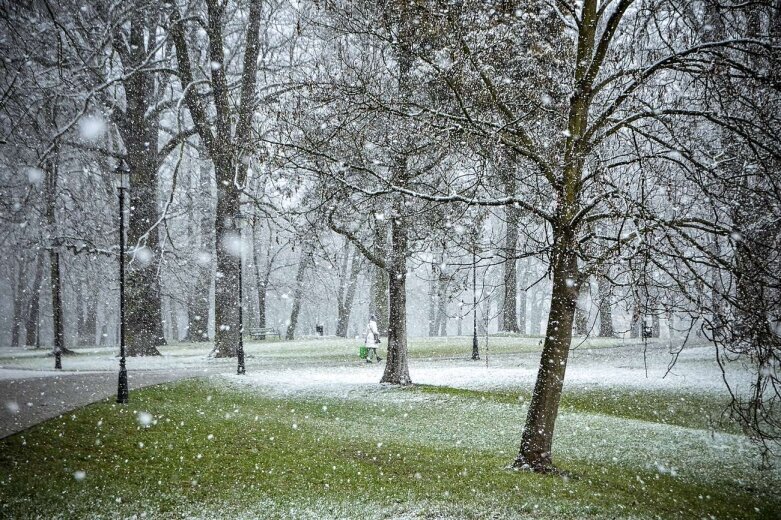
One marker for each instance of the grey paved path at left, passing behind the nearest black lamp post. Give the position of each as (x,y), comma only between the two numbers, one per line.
(29,397)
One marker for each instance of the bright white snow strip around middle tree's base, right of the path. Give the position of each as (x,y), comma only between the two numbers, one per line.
(599,368)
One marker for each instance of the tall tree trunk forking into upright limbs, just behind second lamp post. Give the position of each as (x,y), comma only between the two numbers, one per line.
(226,140)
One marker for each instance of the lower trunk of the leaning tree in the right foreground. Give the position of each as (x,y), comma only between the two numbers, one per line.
(537,438)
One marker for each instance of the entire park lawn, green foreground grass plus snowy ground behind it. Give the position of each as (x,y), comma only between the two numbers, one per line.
(309,433)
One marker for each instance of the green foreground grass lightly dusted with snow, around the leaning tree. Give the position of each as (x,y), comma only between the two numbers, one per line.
(425,452)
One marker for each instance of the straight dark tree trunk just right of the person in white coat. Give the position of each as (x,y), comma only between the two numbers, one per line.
(396,368)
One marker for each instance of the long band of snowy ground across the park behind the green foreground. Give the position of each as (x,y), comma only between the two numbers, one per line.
(333,368)
